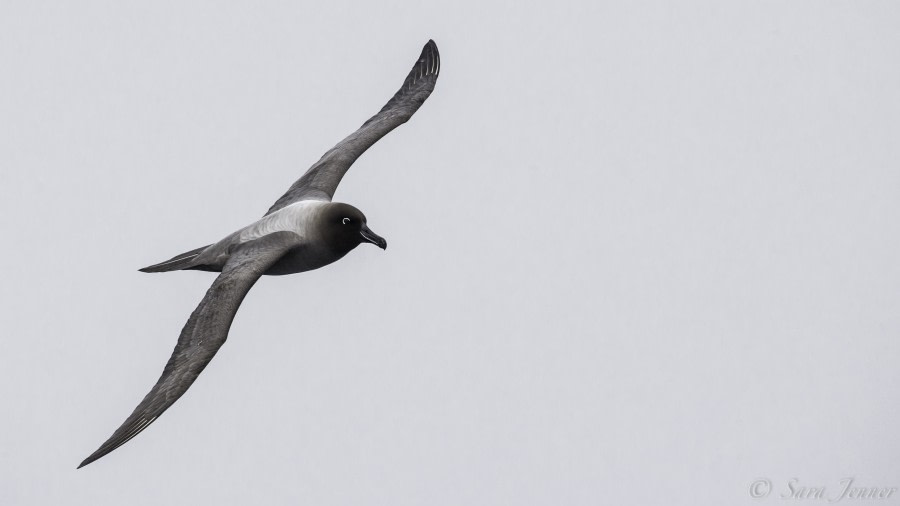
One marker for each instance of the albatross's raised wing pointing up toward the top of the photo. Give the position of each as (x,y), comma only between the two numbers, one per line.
(322,179)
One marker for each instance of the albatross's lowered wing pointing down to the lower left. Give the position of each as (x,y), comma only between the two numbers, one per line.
(203,334)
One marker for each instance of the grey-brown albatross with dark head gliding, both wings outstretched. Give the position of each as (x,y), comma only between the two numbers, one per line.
(303,230)
